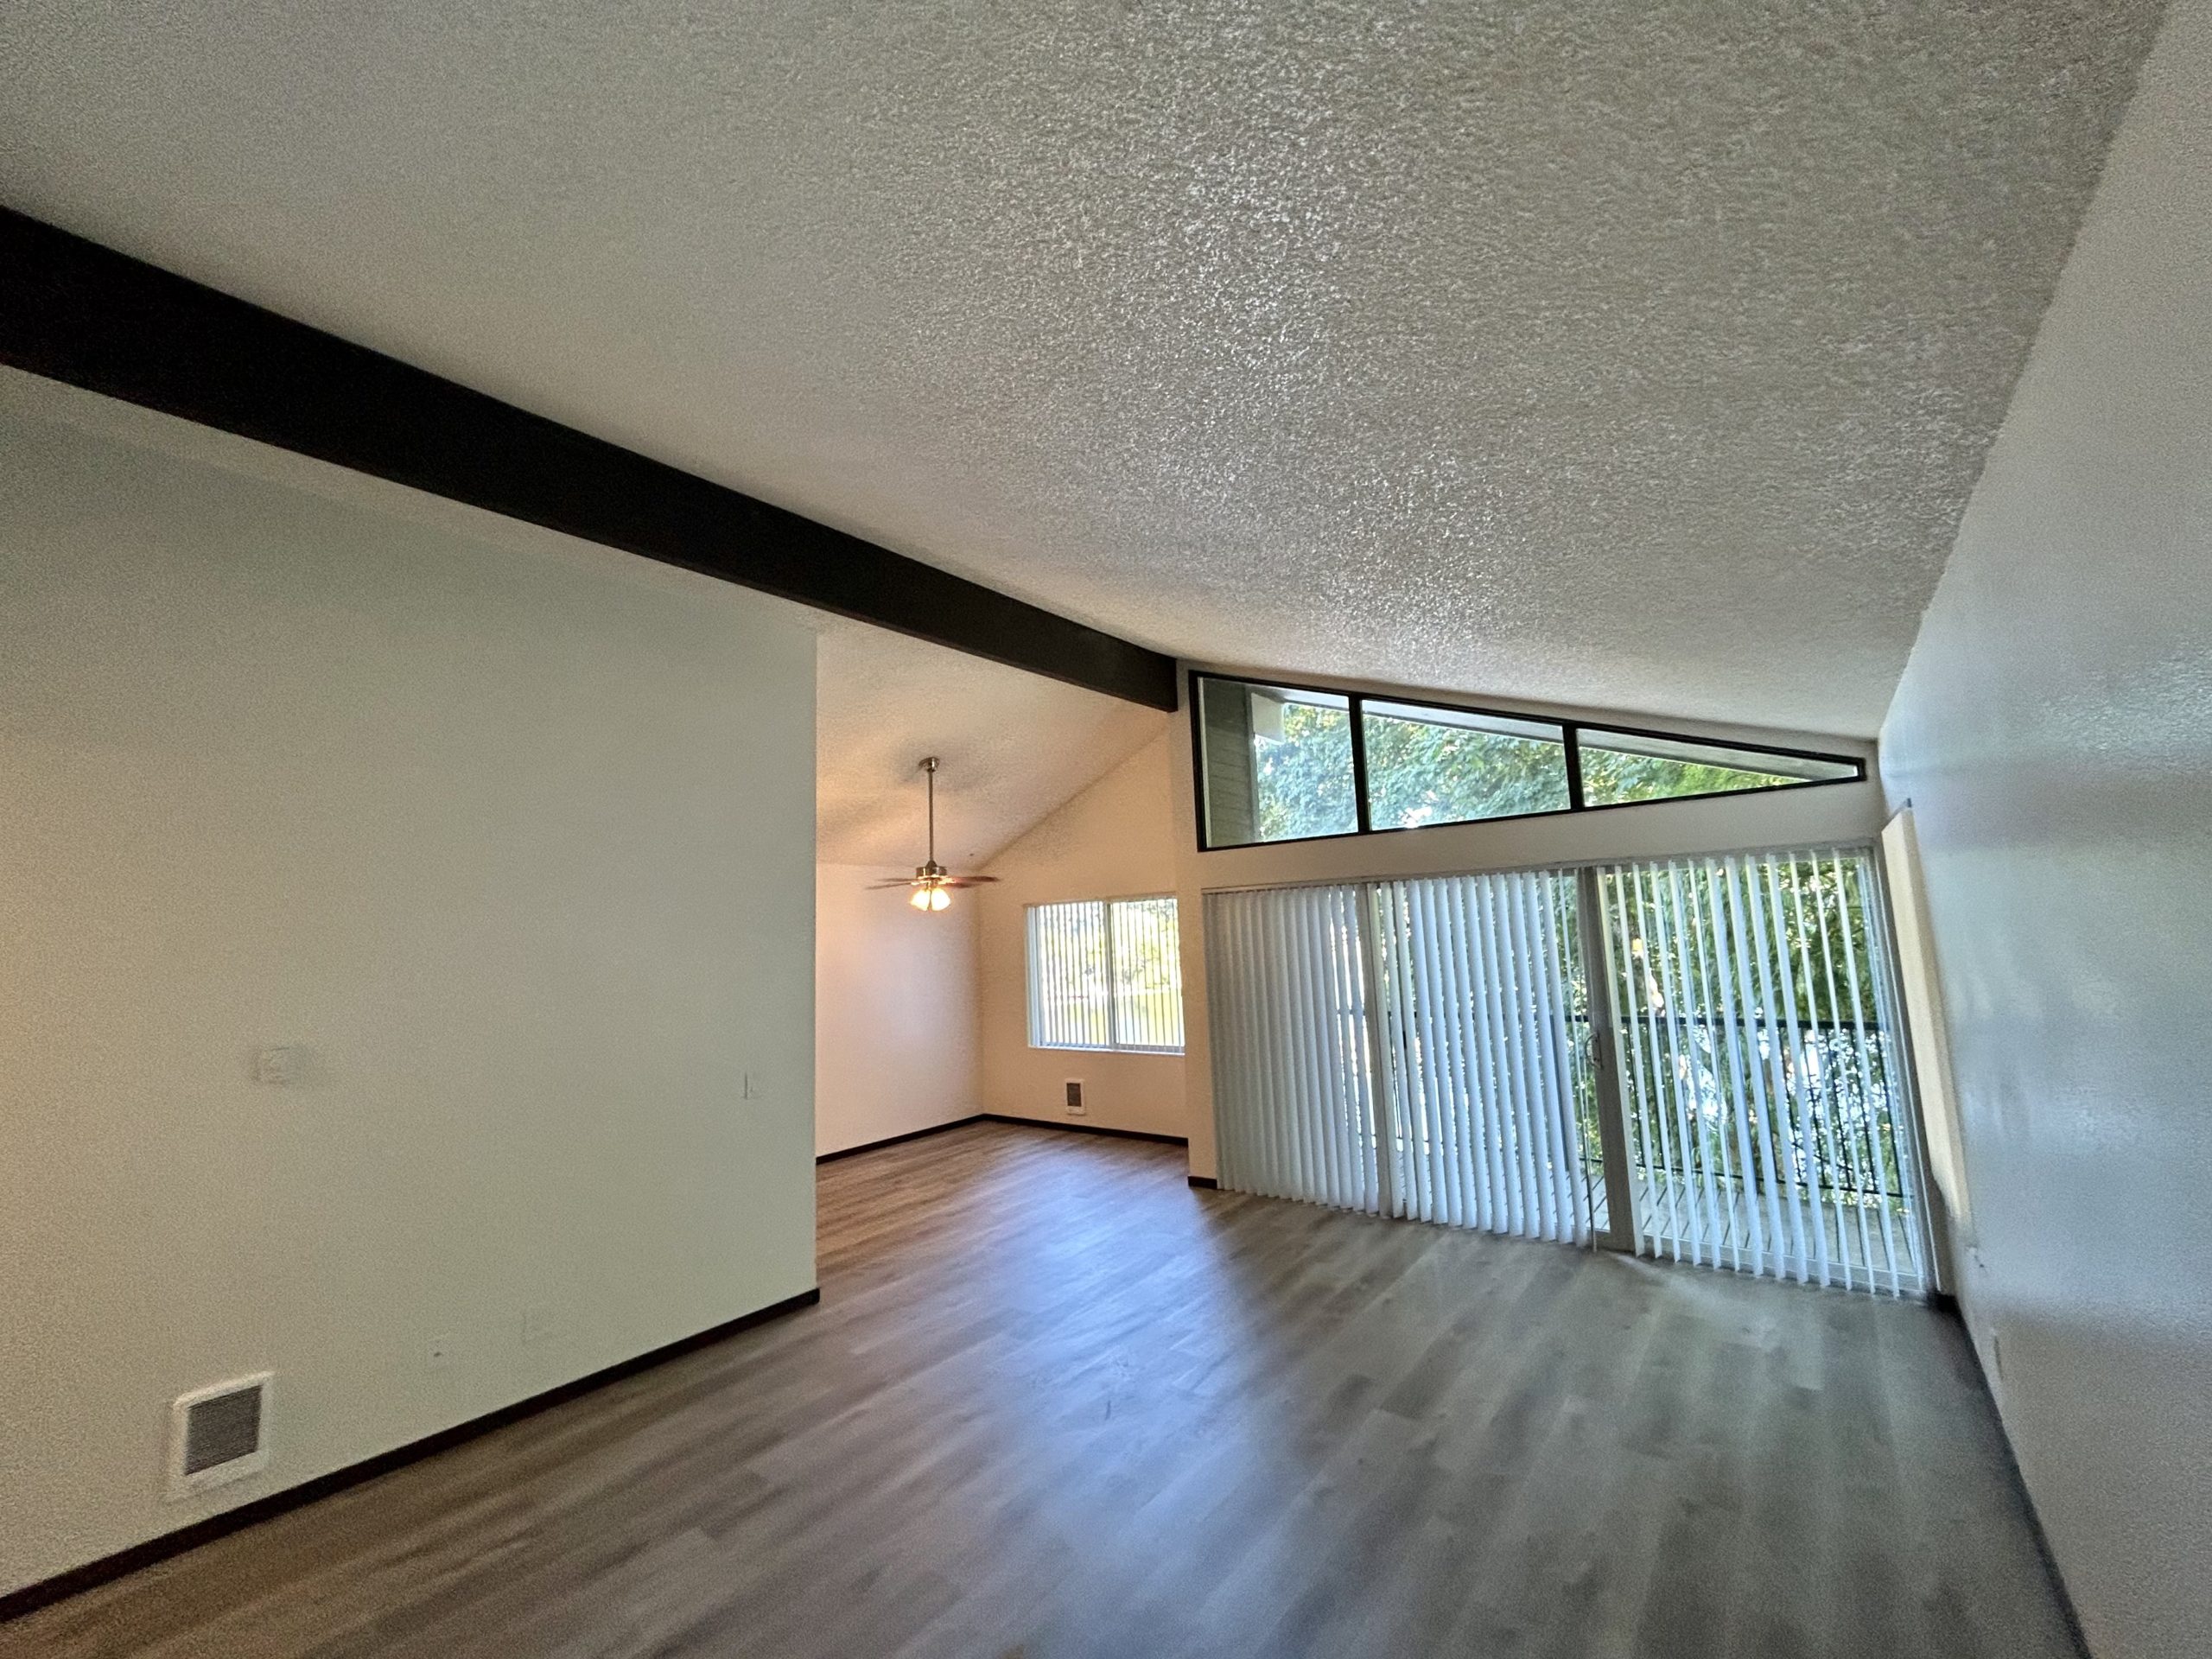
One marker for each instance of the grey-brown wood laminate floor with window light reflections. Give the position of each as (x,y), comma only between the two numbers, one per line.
(1058,1404)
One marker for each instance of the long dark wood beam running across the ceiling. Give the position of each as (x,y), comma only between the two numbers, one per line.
(92,317)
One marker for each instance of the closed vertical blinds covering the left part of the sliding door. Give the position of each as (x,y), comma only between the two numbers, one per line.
(1404,1047)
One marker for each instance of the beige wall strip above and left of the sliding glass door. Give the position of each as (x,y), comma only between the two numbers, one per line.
(1658,831)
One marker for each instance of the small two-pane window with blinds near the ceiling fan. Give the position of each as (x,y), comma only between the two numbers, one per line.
(1107,974)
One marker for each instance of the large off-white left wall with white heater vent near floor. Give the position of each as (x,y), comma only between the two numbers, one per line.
(519,848)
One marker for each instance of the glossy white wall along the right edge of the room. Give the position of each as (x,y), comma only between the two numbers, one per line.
(2054,735)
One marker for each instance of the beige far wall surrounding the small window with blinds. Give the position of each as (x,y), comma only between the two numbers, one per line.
(1112,842)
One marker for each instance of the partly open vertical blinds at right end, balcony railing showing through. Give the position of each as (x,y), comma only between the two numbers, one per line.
(1762,1070)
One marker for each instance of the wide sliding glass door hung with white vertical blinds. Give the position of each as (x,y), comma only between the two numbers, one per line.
(1731,1078)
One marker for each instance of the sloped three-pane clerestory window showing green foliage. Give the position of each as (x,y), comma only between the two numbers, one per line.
(1291,764)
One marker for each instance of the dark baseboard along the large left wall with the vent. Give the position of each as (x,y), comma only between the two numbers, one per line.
(233,1521)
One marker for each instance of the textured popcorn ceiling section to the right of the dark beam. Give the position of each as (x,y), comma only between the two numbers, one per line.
(1627,355)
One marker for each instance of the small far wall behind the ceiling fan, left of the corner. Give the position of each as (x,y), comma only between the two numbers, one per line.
(895,997)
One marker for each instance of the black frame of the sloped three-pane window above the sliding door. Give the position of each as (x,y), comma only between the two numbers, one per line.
(1569,742)
